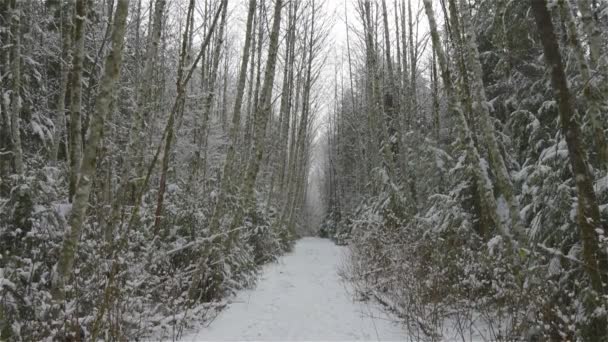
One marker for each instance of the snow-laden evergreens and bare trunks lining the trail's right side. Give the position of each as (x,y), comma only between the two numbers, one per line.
(465,166)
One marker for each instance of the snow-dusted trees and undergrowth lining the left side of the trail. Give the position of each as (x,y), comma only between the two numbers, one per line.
(146,170)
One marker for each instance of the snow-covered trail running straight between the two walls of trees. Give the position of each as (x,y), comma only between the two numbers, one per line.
(301,298)
